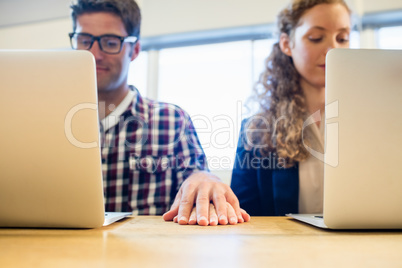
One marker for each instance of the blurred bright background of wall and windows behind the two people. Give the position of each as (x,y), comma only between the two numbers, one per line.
(203,55)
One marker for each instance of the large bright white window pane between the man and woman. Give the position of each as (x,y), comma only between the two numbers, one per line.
(211,82)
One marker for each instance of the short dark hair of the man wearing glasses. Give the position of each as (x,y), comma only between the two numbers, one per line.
(127,10)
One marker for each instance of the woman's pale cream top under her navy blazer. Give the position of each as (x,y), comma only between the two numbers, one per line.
(311,172)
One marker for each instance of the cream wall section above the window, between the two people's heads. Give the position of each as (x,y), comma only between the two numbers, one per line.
(174,16)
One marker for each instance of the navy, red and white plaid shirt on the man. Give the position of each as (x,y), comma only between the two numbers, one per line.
(148,149)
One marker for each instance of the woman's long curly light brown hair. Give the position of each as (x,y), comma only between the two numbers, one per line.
(277,128)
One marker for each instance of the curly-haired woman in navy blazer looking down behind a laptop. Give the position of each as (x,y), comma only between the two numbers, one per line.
(274,172)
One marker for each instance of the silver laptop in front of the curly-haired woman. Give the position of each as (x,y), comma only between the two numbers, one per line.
(362,163)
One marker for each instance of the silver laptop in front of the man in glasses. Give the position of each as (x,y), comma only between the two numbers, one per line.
(50,161)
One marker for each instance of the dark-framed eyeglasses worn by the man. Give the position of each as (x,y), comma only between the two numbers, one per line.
(108,43)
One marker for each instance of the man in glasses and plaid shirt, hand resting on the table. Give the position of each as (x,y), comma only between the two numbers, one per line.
(149,149)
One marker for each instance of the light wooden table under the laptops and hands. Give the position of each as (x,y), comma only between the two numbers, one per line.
(147,241)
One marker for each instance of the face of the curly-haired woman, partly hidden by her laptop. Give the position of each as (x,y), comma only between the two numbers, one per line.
(320,29)
